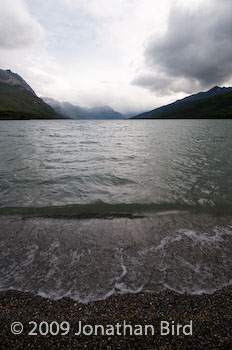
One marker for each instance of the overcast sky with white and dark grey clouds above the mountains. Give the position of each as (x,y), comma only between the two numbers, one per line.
(132,55)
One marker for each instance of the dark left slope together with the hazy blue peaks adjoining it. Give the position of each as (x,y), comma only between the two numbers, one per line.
(19,101)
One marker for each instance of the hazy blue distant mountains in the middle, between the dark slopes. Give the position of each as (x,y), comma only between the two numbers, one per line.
(76,112)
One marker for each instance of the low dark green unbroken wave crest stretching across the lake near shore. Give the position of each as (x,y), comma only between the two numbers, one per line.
(106,210)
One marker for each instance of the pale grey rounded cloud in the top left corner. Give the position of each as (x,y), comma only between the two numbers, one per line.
(18,29)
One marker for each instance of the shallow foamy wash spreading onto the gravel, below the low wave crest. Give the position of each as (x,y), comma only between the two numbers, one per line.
(93,259)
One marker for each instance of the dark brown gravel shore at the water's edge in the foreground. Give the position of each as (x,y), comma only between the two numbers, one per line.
(211,317)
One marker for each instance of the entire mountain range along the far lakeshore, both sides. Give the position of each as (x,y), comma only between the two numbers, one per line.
(19,101)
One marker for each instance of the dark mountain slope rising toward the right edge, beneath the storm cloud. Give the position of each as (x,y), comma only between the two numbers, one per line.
(215,103)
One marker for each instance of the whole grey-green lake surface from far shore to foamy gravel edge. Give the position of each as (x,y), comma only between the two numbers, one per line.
(92,208)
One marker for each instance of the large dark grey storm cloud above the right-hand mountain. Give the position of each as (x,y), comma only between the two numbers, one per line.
(196,49)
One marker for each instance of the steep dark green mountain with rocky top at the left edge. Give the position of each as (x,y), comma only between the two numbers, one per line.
(19,101)
